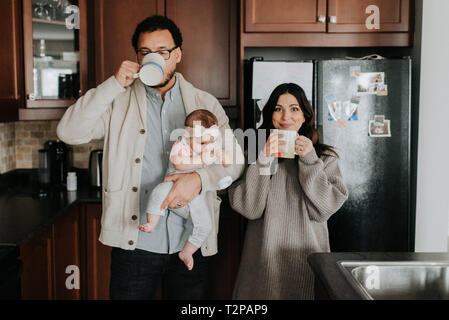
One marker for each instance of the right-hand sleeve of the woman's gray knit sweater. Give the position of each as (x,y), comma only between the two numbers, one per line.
(323,186)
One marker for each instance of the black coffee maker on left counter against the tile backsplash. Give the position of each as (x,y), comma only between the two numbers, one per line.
(54,161)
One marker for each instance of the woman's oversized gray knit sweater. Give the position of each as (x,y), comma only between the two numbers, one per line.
(288,213)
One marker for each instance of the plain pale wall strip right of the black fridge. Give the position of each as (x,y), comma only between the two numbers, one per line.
(432,202)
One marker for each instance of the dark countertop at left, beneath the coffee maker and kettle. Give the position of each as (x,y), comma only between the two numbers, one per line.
(23,214)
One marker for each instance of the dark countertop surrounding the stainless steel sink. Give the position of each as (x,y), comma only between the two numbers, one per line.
(326,269)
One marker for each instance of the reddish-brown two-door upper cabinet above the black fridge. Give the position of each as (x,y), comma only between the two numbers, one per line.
(326,23)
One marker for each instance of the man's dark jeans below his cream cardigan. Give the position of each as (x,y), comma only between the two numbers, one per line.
(136,275)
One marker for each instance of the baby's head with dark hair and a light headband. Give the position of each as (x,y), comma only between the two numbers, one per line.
(203,129)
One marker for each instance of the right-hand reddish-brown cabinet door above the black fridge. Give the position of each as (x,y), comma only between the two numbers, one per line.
(351,16)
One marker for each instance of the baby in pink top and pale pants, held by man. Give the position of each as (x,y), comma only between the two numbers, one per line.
(198,147)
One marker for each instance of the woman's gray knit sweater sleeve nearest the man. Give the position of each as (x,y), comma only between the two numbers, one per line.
(249,195)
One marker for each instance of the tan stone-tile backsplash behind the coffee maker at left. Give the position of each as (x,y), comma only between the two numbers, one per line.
(20,142)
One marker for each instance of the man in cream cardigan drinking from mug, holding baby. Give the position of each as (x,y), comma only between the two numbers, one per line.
(136,121)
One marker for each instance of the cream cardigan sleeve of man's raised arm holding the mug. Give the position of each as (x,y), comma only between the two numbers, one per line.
(88,118)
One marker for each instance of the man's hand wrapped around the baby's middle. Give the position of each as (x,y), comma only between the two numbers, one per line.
(186,187)
